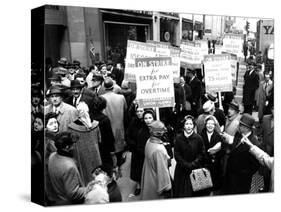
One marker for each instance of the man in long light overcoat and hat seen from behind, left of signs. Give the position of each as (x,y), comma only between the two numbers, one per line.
(116,107)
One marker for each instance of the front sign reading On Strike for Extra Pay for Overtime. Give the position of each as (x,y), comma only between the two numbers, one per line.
(154,80)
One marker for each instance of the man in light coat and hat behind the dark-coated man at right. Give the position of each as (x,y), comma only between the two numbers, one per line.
(233,118)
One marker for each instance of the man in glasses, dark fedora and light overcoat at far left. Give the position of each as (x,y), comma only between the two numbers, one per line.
(66,112)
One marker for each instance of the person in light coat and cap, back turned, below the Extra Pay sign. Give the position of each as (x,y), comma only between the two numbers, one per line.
(156,181)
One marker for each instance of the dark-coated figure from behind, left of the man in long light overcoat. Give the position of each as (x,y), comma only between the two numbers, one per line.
(106,146)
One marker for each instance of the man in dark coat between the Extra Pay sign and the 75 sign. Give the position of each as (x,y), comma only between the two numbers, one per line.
(196,88)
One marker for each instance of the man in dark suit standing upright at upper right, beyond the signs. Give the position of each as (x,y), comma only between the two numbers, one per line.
(251,83)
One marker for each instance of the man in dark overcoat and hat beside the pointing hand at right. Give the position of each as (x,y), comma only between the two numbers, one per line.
(240,163)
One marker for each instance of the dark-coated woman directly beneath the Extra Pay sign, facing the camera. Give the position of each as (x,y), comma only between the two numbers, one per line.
(142,136)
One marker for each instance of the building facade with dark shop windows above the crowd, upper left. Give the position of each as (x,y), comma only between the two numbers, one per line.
(98,34)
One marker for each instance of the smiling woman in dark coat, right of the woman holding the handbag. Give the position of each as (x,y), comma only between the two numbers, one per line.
(213,153)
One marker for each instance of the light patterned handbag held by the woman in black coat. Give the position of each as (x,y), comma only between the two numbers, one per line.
(200,179)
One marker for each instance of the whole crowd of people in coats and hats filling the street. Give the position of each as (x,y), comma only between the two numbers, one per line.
(84,120)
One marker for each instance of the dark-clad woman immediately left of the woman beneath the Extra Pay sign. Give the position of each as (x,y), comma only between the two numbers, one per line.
(131,136)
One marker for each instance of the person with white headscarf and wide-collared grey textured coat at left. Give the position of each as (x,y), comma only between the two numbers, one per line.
(86,151)
